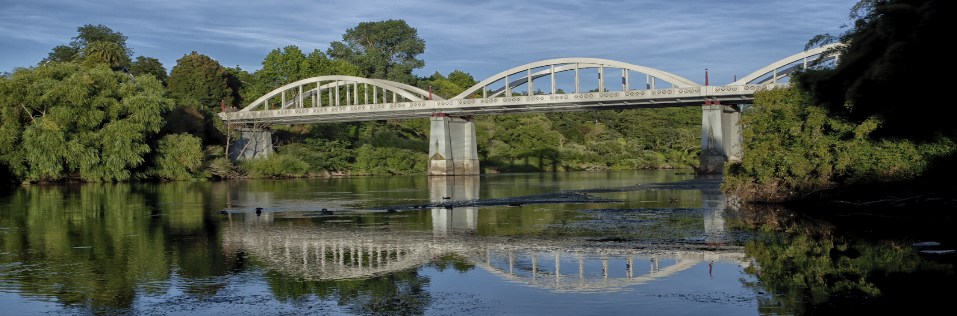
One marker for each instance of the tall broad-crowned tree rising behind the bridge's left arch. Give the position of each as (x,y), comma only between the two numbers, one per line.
(383,50)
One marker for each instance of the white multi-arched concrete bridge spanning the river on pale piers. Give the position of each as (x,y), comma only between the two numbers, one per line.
(531,88)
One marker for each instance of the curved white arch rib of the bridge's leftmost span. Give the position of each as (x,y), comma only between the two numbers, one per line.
(406,91)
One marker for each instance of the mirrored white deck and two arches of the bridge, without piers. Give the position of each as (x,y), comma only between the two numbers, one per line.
(331,253)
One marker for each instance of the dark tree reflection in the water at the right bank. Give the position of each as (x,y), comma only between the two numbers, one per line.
(811,266)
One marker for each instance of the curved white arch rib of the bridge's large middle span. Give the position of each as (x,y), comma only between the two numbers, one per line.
(566,64)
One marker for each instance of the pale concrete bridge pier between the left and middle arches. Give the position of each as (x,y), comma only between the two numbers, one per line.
(453,150)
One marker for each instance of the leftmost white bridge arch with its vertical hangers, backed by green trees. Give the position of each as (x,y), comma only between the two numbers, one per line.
(315,86)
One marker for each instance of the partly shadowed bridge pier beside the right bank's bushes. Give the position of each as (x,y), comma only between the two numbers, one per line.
(720,136)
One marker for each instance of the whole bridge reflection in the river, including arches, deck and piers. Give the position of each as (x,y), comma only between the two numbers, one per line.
(331,252)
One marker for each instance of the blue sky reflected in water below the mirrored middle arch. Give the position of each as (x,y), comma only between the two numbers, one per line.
(692,292)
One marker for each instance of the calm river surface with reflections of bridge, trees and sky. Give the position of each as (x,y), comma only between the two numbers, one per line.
(438,246)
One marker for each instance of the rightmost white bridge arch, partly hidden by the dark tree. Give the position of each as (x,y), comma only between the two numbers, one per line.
(785,67)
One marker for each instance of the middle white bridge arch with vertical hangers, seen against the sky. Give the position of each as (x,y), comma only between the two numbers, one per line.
(528,72)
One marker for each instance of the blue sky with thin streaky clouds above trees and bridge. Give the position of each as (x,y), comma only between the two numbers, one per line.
(684,37)
